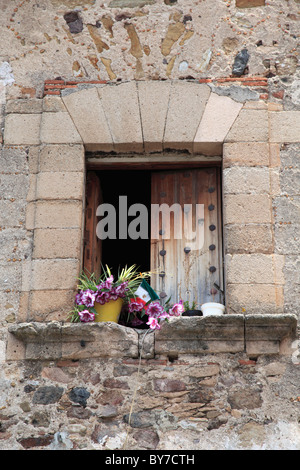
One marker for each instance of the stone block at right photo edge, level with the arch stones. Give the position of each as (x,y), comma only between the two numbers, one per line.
(285,126)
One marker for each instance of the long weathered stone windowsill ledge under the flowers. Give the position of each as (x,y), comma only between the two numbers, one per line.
(253,334)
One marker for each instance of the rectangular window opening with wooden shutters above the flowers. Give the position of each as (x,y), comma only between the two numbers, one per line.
(181,271)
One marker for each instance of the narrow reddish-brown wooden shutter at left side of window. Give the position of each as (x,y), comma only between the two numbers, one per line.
(92,244)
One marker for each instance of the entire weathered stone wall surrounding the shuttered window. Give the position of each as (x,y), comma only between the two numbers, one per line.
(65,66)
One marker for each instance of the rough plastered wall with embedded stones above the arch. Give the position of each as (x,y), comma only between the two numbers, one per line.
(144,40)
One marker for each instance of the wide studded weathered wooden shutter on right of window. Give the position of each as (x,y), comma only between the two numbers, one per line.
(188,269)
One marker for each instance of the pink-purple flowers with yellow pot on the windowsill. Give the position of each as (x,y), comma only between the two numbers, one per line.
(129,300)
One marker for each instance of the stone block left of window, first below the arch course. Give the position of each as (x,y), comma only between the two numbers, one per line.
(62,158)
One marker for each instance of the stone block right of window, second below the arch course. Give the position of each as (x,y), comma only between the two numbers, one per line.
(238,180)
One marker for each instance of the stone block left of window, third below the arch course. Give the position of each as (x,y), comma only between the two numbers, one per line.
(58,214)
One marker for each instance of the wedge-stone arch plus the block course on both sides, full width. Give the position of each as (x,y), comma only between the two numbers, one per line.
(149,117)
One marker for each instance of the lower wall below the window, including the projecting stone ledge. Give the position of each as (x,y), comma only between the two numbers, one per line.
(108,387)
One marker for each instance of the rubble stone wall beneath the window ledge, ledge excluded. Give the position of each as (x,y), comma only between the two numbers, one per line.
(209,403)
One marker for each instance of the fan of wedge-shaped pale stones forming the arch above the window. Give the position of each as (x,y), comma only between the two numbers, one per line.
(146,117)
